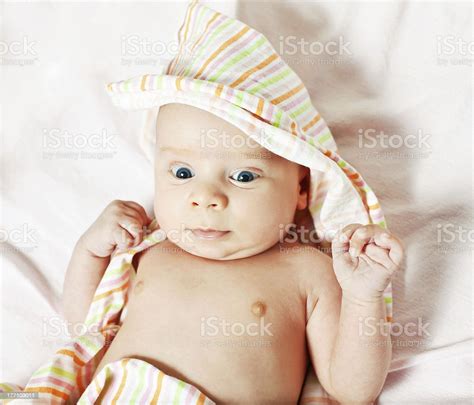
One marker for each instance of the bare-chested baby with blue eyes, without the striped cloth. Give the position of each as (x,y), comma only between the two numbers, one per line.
(227,263)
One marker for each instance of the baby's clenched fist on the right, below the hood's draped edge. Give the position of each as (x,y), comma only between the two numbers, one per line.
(364,260)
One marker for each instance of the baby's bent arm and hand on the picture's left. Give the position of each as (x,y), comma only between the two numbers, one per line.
(120,224)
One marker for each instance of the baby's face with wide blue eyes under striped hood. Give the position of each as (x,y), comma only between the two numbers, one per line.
(209,174)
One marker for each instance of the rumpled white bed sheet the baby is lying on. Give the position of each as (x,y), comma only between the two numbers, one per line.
(392,79)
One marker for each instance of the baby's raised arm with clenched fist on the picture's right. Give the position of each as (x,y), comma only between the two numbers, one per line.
(352,359)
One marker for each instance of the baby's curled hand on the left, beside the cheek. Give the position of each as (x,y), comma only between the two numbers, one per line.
(121,224)
